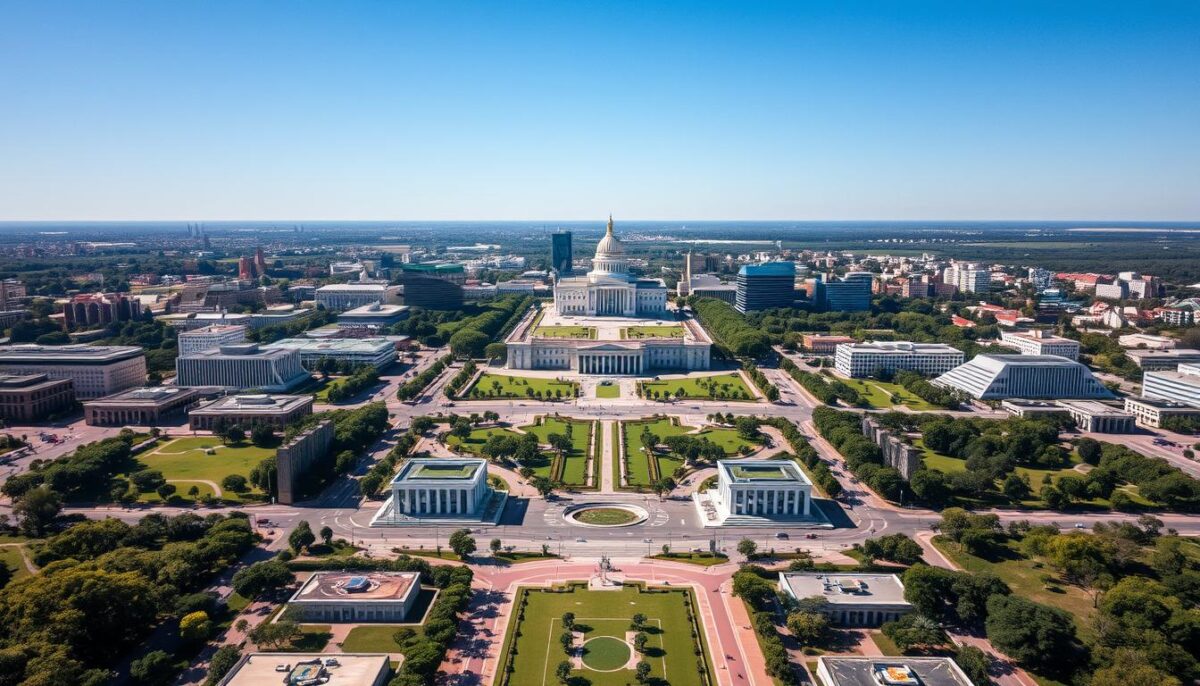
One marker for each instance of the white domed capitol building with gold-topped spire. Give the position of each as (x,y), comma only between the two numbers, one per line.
(609,290)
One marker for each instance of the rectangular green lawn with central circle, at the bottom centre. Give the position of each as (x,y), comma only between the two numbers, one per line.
(605,616)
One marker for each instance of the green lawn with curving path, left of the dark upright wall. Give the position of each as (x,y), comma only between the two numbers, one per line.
(185,464)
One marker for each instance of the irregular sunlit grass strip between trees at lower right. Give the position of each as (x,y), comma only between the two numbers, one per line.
(1025,577)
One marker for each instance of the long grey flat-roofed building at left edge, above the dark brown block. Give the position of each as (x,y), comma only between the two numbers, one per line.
(94,371)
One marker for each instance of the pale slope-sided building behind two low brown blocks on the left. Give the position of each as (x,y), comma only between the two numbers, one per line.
(243,366)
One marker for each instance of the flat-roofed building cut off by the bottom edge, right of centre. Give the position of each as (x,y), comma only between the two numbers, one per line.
(904,671)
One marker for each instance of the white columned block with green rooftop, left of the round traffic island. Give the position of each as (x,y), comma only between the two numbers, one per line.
(441,488)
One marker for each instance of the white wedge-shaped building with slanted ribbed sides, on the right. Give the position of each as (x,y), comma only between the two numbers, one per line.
(1001,377)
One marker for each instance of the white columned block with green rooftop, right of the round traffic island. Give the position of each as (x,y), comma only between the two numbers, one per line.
(761,489)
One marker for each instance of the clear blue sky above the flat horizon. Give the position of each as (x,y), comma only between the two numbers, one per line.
(571,110)
